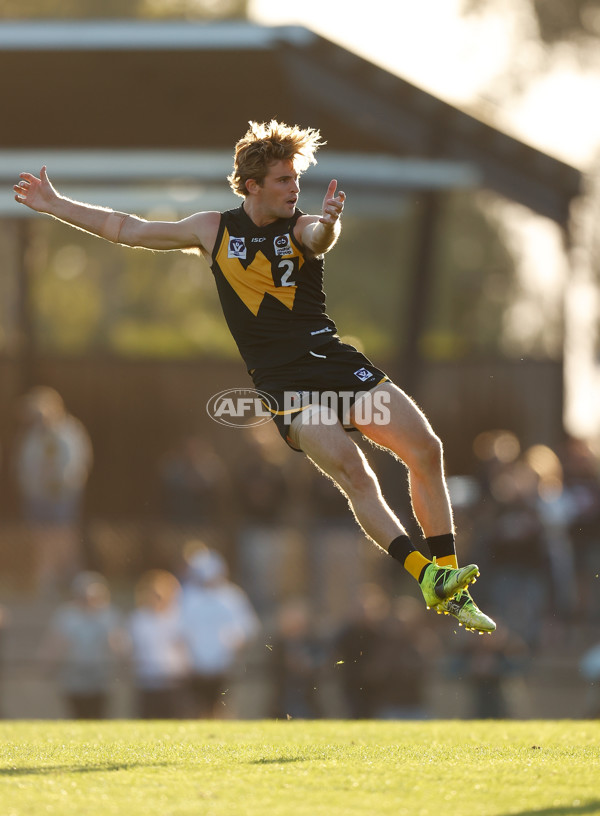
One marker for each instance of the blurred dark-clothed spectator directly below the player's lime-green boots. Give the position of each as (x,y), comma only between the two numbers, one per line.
(486,665)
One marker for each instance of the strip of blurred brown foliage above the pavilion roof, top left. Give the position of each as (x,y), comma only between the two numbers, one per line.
(122,9)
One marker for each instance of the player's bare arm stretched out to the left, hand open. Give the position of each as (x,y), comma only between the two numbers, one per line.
(197,230)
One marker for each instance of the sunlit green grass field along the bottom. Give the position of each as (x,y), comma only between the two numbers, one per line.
(325,768)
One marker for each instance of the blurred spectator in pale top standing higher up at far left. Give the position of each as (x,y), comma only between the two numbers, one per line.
(53,461)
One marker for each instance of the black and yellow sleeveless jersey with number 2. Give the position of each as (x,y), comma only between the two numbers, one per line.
(271,293)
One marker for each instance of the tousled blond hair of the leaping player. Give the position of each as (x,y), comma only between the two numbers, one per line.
(263,144)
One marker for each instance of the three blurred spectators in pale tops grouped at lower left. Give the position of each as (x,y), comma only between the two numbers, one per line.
(178,644)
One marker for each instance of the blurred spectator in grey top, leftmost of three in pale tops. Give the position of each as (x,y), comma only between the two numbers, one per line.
(83,642)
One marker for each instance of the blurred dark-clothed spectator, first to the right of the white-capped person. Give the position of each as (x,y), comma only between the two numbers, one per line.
(296,659)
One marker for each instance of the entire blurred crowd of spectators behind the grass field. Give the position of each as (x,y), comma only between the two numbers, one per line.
(329,626)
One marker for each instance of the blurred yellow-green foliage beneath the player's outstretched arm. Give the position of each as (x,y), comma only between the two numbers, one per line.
(90,296)
